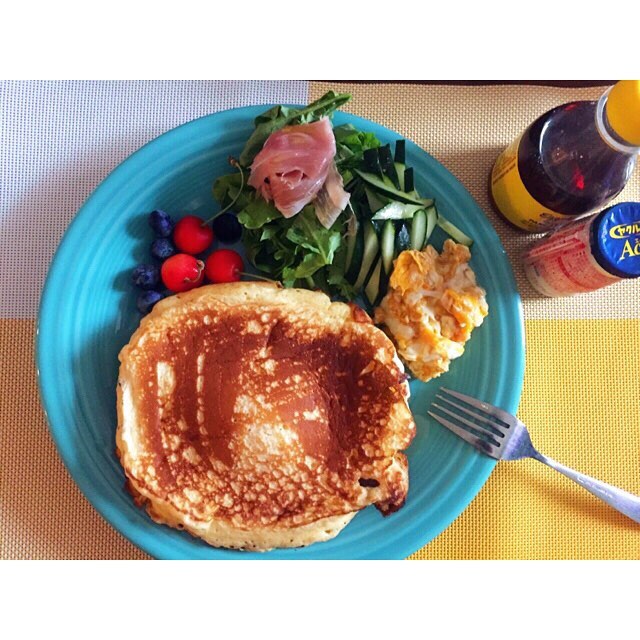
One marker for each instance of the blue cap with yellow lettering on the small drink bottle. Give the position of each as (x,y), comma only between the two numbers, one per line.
(615,239)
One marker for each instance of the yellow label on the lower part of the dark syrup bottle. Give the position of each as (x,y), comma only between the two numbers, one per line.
(514,201)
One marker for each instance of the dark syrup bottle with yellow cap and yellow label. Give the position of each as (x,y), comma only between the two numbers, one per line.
(570,162)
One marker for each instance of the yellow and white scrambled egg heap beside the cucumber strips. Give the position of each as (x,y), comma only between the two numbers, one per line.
(431,307)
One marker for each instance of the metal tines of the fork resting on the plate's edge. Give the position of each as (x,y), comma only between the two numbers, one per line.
(489,428)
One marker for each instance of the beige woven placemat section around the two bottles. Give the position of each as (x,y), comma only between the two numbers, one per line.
(466,128)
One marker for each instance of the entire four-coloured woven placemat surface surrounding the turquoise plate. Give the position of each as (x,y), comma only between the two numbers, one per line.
(58,140)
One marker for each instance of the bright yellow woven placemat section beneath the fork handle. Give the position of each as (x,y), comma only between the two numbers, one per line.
(580,403)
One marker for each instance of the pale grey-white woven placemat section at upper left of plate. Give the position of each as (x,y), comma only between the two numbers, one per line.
(60,139)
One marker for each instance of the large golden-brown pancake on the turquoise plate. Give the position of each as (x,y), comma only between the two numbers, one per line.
(257,417)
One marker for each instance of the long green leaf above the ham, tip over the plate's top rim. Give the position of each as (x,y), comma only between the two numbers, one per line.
(280,116)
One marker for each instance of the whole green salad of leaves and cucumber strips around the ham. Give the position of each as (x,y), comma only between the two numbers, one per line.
(355,255)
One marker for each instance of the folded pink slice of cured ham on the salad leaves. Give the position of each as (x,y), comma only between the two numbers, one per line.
(293,165)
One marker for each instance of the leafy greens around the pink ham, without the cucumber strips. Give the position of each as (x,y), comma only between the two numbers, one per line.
(299,251)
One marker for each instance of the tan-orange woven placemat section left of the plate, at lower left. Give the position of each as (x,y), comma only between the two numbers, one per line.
(43,515)
